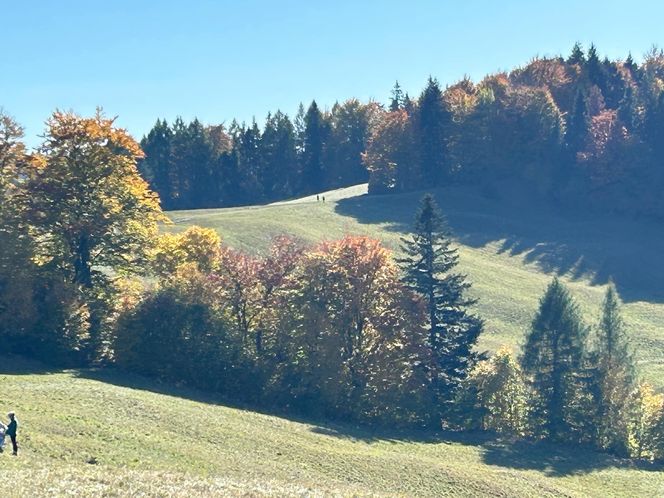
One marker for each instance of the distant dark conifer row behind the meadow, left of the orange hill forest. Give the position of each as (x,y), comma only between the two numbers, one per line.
(194,166)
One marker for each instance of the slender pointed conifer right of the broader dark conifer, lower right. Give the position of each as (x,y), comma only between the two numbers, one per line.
(616,375)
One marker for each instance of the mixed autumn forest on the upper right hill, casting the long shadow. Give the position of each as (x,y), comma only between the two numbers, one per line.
(582,132)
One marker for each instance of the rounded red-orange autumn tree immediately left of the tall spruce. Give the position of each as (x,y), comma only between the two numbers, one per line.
(355,333)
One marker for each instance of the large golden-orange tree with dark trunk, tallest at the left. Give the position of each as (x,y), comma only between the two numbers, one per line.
(93,214)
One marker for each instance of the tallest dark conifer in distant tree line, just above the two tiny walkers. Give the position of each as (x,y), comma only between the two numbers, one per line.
(315,137)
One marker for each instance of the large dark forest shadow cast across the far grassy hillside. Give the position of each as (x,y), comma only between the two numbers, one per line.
(578,244)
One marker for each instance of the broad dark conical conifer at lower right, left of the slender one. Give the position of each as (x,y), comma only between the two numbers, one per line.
(554,360)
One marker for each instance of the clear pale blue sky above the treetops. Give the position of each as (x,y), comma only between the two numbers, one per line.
(217,60)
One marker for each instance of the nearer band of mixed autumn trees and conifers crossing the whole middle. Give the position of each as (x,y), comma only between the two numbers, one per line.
(340,329)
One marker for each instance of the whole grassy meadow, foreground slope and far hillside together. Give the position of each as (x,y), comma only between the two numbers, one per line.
(92,433)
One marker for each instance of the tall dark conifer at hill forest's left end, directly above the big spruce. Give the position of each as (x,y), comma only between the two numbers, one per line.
(432,120)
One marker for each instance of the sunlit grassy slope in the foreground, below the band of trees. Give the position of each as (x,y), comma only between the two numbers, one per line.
(86,433)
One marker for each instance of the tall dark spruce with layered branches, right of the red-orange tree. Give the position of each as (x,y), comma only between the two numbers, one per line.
(428,264)
